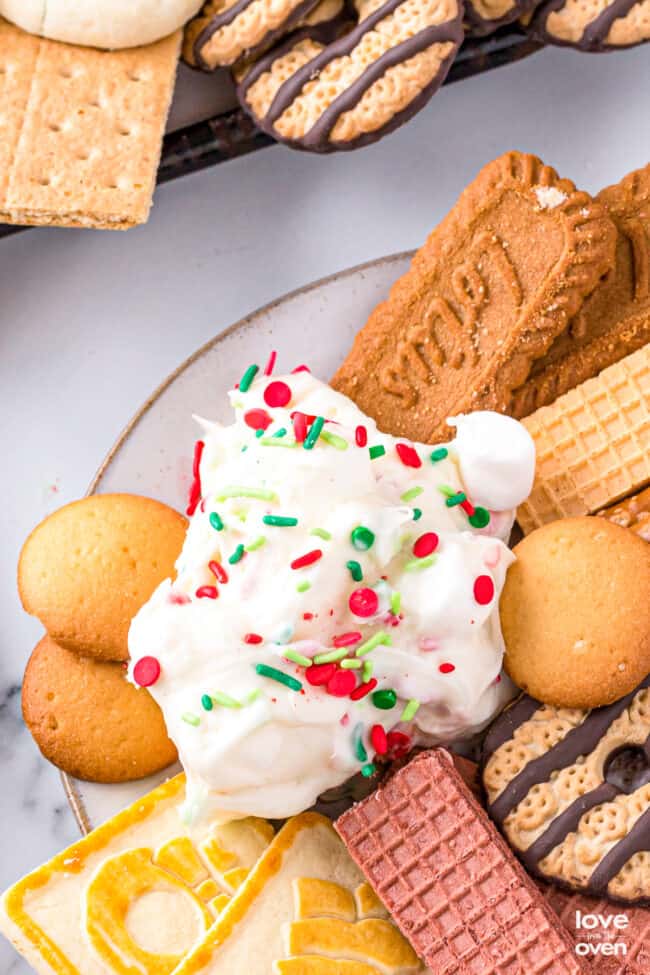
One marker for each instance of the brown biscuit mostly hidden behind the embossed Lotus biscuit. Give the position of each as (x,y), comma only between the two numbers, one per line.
(615,319)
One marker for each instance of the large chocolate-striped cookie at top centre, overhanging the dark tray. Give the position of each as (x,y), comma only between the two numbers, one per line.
(342,85)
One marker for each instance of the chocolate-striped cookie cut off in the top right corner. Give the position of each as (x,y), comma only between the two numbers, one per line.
(593,25)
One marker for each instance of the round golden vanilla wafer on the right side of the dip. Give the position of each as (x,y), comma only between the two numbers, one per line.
(575,613)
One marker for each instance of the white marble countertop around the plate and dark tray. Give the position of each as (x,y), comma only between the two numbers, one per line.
(91,322)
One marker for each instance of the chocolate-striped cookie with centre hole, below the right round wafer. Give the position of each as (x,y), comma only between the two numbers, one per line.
(570,790)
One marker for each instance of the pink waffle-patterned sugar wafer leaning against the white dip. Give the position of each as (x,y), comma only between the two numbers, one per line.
(437,862)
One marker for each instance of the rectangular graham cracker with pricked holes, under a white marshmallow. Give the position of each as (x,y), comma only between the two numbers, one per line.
(81,130)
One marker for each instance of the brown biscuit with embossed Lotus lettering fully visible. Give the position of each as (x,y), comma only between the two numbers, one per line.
(492,287)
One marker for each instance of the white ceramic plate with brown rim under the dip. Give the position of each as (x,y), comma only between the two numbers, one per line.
(315,325)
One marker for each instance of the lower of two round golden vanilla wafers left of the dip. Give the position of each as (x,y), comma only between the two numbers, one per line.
(88,720)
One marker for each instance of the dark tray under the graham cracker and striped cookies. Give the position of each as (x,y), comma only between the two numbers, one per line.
(233,134)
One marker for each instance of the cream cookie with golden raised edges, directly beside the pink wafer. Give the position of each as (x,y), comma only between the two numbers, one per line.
(304,910)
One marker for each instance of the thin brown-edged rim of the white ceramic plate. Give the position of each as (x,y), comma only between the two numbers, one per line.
(74,799)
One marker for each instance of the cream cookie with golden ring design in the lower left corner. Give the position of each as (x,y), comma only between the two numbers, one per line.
(135,894)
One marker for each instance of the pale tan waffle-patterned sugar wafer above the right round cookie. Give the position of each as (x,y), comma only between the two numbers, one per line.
(593,444)
